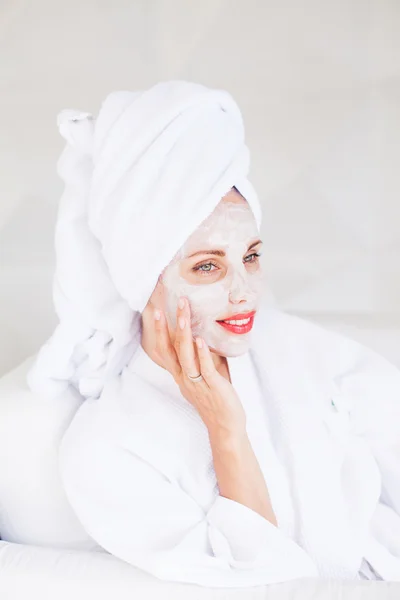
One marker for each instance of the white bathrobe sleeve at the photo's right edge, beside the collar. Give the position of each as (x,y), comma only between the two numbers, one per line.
(372,387)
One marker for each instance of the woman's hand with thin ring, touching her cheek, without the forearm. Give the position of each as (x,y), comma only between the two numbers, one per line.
(214,396)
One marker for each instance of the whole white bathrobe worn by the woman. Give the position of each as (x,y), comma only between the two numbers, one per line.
(324,421)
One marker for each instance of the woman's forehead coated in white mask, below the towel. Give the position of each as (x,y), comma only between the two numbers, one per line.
(231,223)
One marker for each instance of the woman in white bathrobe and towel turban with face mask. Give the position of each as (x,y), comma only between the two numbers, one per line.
(221,442)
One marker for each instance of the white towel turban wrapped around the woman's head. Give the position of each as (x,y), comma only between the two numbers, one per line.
(139,179)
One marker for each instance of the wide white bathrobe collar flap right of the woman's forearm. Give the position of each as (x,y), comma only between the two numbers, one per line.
(312,426)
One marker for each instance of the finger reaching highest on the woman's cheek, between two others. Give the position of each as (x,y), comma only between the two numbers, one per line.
(184,340)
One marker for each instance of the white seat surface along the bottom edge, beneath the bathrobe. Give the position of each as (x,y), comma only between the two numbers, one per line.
(46,574)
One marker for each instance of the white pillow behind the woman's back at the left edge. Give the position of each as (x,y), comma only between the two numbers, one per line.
(33,505)
